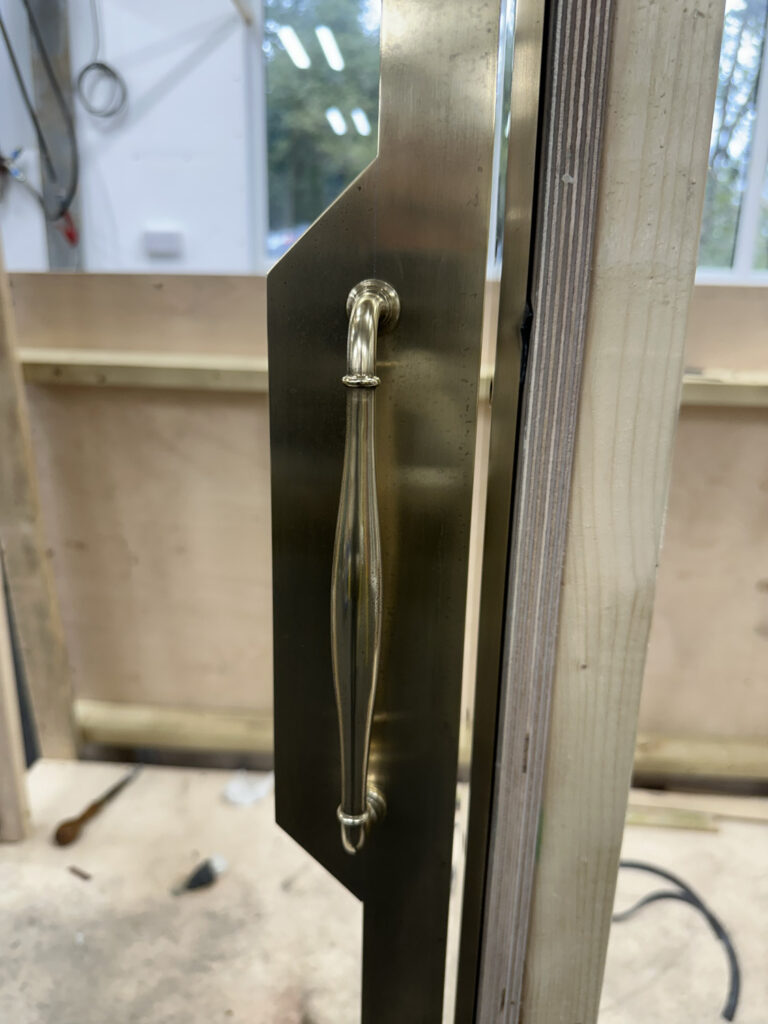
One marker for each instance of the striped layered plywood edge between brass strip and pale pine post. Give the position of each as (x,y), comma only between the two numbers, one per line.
(576,78)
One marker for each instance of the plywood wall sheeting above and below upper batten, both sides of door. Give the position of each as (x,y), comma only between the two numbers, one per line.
(157,509)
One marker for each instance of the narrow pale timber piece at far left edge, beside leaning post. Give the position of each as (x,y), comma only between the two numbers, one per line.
(15,813)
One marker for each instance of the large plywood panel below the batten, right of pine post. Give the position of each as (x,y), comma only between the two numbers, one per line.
(707,673)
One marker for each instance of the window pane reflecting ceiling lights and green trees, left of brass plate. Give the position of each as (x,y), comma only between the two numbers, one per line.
(323,107)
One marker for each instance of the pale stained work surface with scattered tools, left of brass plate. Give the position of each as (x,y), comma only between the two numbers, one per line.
(276,940)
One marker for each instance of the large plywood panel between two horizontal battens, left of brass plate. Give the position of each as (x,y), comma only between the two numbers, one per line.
(158,514)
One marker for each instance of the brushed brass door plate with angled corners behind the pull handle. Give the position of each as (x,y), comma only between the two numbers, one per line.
(417,218)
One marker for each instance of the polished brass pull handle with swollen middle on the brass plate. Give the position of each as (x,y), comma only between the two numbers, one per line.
(356,585)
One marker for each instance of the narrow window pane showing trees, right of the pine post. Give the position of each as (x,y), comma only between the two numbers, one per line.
(744,37)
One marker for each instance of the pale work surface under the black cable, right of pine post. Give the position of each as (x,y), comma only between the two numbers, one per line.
(665,965)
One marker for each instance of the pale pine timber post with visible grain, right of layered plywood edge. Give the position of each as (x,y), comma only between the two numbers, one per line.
(659,117)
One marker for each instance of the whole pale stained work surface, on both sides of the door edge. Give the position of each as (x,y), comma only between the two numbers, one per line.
(277,940)
